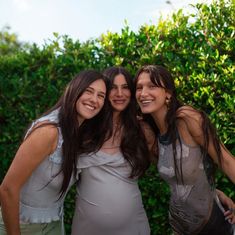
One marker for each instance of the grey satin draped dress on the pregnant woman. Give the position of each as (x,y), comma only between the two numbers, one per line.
(108,202)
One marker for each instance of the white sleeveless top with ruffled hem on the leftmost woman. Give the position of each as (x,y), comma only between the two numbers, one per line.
(39,199)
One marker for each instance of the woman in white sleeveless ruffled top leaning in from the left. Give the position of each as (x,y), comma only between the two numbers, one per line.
(33,190)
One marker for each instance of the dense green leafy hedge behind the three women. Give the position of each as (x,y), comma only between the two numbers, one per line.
(198,48)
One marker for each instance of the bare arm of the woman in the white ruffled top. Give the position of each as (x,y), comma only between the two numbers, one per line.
(30,154)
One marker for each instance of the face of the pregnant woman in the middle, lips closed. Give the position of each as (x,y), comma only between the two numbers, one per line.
(120,94)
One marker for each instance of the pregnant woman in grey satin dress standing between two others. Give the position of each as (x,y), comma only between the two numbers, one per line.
(108,197)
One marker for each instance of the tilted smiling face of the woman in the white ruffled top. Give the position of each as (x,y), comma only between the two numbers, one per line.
(91,101)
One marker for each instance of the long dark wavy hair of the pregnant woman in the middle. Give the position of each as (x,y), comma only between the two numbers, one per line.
(133,143)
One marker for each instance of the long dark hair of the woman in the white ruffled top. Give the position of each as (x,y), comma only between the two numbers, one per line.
(73,133)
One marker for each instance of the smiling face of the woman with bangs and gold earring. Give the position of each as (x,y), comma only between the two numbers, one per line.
(150,97)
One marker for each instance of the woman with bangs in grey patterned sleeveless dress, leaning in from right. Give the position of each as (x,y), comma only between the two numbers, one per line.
(187,145)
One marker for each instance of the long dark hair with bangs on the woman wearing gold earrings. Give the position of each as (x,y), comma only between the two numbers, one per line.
(161,77)
